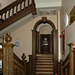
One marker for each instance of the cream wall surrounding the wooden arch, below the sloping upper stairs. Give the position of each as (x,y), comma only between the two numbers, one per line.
(24,35)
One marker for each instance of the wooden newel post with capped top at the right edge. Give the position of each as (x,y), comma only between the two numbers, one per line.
(71,64)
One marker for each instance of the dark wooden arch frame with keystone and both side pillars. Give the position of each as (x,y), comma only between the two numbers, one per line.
(55,40)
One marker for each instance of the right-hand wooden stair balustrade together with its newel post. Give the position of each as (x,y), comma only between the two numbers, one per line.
(68,65)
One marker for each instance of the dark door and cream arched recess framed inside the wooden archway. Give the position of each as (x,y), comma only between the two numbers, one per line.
(45,39)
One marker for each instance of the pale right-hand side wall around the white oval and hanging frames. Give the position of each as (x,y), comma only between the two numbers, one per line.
(70,30)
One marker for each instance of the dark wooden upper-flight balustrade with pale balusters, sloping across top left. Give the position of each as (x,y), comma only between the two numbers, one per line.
(15,11)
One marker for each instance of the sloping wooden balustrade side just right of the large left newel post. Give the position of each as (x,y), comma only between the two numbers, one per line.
(19,66)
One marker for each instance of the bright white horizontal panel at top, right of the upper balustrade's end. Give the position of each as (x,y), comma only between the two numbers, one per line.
(47,3)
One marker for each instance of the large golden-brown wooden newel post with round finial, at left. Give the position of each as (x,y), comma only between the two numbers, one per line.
(8,56)
